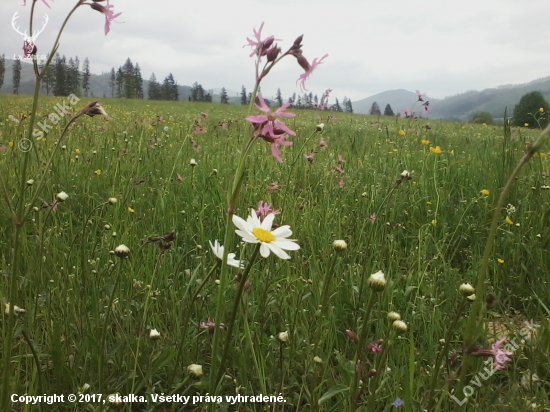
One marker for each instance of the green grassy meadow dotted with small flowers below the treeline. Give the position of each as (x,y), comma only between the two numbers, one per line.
(305,329)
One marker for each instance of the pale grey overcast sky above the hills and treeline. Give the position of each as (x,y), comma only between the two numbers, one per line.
(442,47)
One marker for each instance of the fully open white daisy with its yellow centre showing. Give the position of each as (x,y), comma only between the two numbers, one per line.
(255,231)
